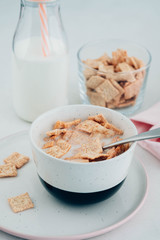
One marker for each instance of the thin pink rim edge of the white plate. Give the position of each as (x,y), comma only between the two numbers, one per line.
(86,235)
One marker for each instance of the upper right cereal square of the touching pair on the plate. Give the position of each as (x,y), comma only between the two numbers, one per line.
(17,159)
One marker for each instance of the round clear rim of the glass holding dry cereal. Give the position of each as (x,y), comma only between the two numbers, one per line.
(89,43)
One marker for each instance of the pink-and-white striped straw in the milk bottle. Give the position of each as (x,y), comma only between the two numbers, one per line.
(44,29)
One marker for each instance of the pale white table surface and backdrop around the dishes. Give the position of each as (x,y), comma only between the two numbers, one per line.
(86,20)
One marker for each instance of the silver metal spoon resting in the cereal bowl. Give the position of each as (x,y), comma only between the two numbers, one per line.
(139,137)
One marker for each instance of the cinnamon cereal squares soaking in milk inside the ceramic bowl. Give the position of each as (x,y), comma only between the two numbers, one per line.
(83,140)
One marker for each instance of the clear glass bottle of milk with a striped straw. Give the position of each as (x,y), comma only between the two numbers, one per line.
(39,59)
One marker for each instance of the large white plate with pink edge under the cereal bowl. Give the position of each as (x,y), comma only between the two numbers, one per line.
(53,219)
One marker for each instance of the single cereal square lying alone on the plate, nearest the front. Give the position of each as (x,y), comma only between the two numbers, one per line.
(20,203)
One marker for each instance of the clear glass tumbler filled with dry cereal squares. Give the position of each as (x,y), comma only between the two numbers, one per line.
(113,73)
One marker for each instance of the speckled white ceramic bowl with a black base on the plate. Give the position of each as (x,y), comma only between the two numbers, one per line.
(75,180)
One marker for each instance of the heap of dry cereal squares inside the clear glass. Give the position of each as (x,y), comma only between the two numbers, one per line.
(112,81)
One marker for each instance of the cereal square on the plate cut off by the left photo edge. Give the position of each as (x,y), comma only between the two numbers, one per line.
(8,170)
